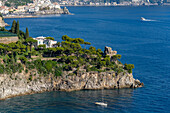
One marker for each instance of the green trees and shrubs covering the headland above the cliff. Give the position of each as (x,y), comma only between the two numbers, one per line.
(69,55)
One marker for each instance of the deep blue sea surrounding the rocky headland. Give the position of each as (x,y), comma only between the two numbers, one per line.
(146,44)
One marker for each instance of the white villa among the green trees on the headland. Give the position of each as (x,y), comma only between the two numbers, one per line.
(42,40)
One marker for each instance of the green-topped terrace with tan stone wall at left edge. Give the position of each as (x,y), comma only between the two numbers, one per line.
(8,37)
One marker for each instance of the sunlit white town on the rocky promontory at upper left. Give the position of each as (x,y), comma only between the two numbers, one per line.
(30,9)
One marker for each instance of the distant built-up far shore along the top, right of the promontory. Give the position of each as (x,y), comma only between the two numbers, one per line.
(111,2)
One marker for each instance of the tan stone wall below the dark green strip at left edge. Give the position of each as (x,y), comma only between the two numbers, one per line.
(7,40)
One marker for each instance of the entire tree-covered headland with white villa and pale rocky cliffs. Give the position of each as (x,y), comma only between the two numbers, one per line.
(34,65)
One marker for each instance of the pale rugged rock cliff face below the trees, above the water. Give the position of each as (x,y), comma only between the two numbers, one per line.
(20,83)
